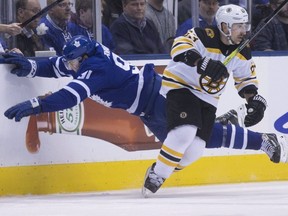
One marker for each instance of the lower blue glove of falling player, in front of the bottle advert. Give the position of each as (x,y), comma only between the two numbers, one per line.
(26,108)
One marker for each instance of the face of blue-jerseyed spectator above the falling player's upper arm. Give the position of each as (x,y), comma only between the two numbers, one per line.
(61,12)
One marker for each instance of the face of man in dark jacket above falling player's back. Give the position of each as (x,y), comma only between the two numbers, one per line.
(135,9)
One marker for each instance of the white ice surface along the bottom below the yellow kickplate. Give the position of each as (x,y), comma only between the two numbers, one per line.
(246,199)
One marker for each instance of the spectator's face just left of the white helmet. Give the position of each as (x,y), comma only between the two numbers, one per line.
(208,8)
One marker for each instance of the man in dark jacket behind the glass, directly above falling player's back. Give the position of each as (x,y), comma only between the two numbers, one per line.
(133,33)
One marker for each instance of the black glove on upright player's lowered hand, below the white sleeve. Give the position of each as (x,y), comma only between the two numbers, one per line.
(255,110)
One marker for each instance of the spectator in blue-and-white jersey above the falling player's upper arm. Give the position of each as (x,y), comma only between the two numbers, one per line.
(55,27)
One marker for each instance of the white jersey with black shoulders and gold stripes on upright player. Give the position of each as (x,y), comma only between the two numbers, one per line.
(207,42)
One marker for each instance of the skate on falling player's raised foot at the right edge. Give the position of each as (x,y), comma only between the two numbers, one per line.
(276,147)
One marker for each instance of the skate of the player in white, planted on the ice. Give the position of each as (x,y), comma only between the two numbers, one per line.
(152,182)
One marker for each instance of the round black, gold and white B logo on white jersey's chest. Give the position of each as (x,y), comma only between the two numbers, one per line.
(212,87)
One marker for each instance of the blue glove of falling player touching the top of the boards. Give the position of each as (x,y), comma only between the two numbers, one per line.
(24,66)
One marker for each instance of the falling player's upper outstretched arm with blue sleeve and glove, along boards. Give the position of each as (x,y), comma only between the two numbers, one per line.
(26,67)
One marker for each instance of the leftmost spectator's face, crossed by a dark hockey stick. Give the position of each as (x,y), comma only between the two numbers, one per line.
(32,7)
